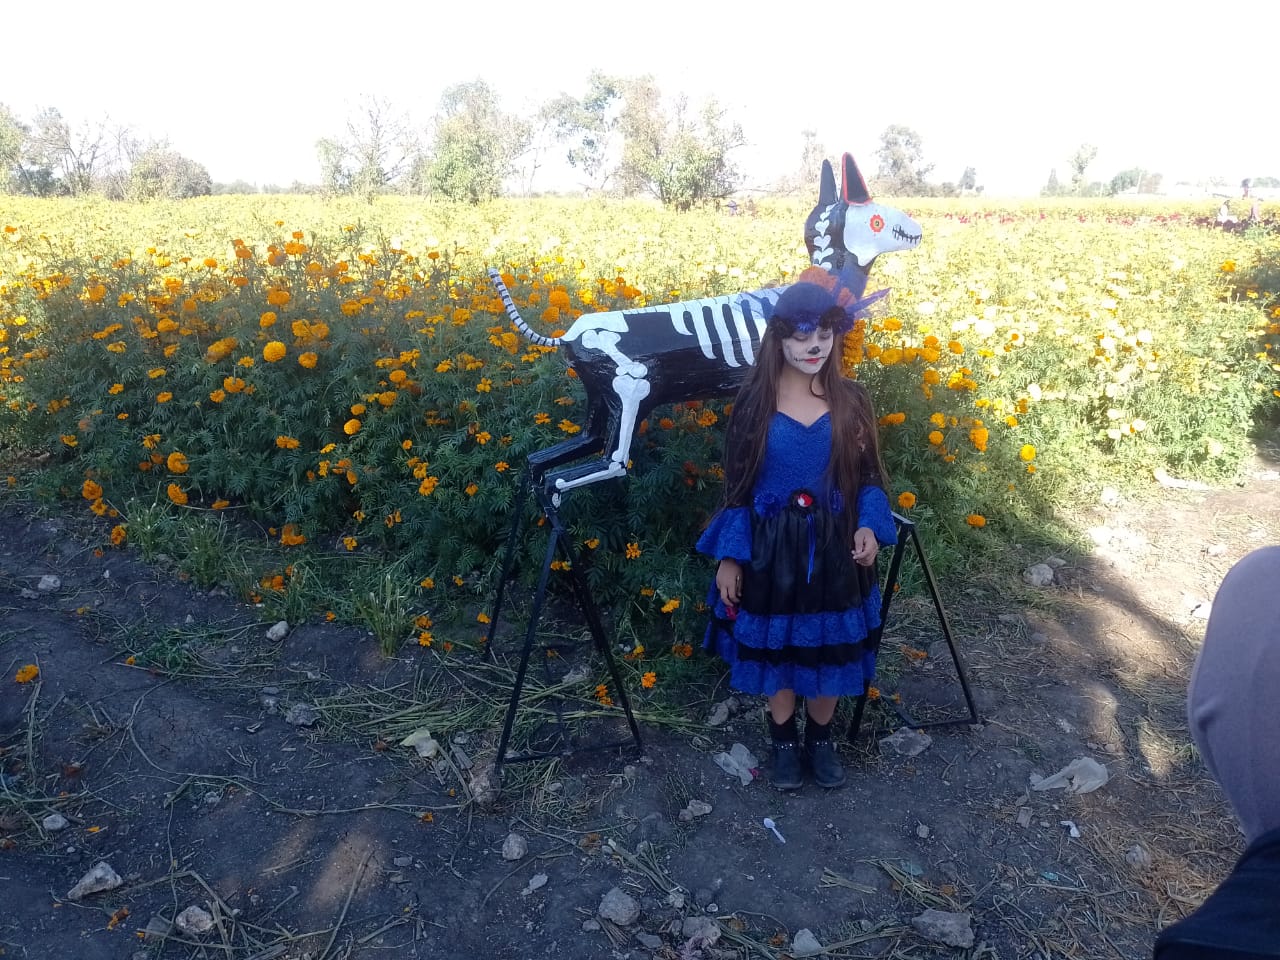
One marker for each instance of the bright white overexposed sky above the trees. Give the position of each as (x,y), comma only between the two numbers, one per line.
(1011,88)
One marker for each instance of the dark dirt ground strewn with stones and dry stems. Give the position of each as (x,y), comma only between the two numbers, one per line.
(332,840)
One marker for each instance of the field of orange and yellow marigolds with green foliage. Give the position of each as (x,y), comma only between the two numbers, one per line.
(336,391)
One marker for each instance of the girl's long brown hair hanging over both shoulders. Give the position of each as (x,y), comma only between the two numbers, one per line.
(854,450)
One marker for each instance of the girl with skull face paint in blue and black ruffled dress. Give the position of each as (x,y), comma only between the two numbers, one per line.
(804,516)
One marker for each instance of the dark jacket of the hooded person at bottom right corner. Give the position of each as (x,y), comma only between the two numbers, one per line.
(1241,920)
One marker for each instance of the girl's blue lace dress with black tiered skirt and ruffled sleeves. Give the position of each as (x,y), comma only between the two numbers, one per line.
(806,610)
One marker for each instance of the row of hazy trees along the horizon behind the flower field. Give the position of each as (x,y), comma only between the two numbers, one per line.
(621,136)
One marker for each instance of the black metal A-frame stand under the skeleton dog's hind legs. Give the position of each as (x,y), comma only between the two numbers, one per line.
(559,540)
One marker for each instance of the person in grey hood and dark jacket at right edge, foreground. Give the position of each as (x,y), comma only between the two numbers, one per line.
(1231,710)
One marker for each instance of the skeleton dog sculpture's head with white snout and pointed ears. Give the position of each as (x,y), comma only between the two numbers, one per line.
(847,232)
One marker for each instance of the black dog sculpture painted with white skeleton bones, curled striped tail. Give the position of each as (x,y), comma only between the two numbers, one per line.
(632,362)
